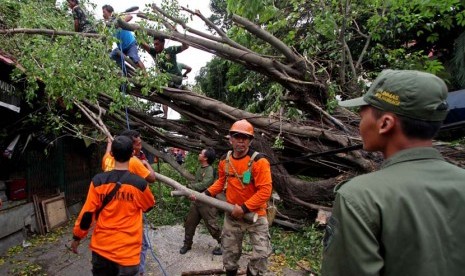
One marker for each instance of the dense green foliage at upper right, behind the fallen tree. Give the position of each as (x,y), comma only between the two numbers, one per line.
(395,34)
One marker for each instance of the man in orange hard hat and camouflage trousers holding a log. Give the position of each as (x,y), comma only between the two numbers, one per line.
(245,175)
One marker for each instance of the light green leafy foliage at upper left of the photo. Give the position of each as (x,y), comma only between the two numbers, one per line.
(73,68)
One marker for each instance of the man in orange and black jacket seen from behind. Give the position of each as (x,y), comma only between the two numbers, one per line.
(117,236)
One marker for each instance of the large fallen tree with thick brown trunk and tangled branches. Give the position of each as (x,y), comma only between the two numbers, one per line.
(315,153)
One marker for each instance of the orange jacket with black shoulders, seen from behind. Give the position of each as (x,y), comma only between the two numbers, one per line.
(117,234)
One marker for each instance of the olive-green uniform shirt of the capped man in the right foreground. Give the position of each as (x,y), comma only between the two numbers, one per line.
(404,219)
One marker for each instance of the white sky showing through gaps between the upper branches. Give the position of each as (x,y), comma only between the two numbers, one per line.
(192,57)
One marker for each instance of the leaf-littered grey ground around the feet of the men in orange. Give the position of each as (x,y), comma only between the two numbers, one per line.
(55,258)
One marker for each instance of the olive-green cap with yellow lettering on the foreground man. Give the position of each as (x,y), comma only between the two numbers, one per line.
(414,94)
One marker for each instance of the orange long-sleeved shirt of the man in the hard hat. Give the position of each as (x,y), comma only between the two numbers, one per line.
(251,197)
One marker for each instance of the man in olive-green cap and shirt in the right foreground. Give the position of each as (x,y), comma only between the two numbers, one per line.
(407,218)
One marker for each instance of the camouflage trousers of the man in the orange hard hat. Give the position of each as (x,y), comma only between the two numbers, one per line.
(233,234)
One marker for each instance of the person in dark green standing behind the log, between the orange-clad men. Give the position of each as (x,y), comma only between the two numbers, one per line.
(204,177)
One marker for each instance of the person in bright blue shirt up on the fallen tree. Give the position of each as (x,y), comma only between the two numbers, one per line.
(126,44)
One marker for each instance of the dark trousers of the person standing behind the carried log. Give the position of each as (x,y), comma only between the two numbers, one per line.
(199,211)
